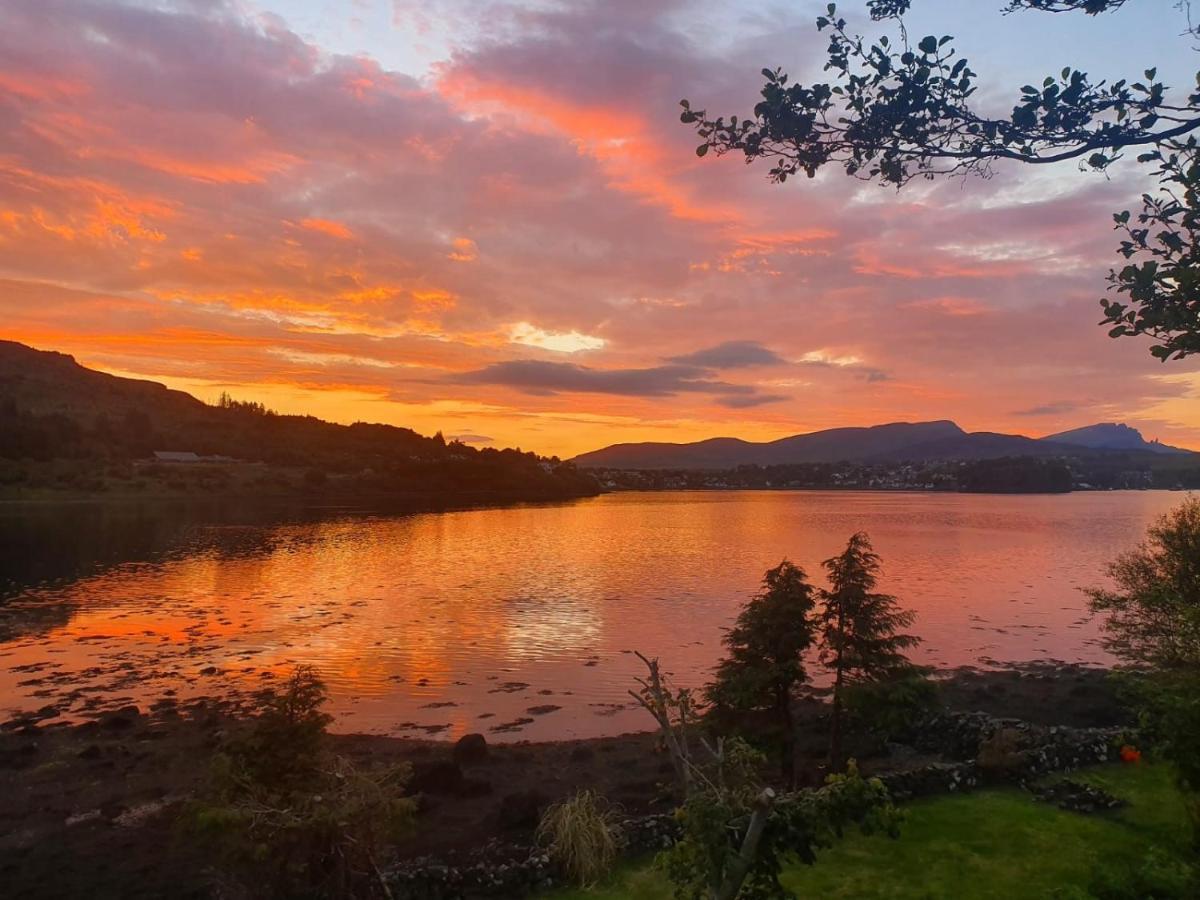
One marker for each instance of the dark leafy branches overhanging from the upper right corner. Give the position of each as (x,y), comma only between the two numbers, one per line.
(896,111)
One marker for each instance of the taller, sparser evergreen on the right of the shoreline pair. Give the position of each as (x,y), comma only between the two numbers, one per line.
(861,638)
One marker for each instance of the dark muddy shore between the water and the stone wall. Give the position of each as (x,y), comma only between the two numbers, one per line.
(89,811)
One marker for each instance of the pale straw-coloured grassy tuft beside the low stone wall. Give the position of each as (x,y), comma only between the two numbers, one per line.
(581,837)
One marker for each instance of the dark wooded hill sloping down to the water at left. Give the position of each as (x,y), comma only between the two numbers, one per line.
(55,410)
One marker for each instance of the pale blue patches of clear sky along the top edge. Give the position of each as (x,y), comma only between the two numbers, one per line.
(1013,50)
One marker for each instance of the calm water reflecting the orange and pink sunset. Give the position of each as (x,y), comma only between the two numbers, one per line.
(518,620)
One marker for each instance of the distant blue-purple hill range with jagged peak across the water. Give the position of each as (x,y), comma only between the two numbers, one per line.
(883,443)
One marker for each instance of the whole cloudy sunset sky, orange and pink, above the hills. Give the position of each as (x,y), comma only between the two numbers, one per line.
(484,218)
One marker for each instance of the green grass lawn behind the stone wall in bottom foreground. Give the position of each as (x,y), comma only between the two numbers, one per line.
(989,844)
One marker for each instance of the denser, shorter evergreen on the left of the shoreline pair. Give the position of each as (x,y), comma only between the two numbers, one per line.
(766,655)
